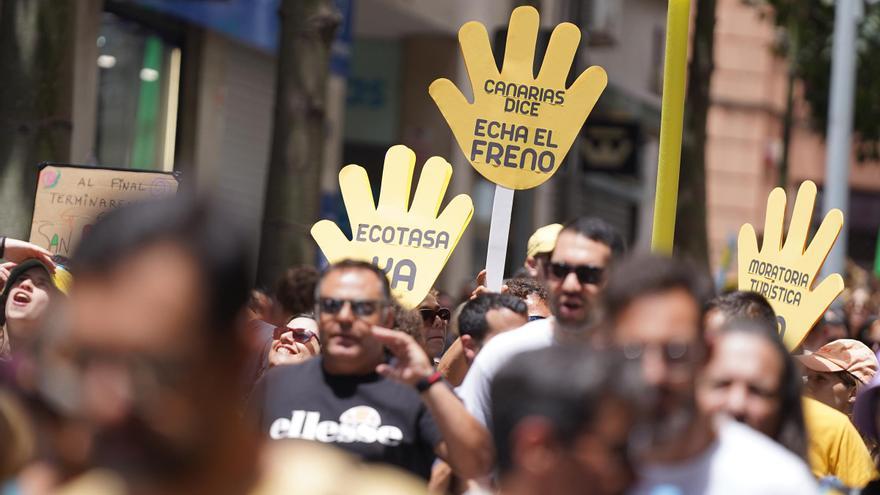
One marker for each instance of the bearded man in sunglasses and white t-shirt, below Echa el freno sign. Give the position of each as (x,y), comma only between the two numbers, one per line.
(574,276)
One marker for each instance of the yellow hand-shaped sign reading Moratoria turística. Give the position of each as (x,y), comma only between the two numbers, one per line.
(785,273)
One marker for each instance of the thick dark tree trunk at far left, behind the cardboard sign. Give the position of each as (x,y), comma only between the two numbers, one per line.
(36,100)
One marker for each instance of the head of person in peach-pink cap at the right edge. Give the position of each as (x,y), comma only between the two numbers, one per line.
(834,373)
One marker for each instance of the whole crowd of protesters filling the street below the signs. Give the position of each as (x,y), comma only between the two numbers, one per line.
(148,364)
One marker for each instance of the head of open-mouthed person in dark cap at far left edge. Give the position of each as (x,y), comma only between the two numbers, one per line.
(26,297)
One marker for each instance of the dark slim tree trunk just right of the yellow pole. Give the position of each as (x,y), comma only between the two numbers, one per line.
(691,232)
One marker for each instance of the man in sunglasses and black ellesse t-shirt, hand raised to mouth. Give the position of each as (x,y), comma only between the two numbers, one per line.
(373,391)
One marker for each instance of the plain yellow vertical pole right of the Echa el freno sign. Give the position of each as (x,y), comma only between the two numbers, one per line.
(671,121)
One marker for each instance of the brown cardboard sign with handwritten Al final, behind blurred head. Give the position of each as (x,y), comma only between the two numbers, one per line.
(70,198)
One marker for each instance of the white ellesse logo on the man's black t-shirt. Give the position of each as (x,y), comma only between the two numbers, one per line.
(360,424)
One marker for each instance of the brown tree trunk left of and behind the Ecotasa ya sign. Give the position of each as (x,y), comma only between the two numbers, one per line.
(293,185)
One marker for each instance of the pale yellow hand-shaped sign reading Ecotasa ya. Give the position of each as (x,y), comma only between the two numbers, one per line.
(411,244)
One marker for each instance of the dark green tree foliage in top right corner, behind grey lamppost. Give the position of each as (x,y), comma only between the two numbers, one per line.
(807,29)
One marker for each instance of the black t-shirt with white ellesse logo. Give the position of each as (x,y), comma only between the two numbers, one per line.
(370,416)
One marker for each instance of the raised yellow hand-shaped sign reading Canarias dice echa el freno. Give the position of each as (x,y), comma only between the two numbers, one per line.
(519,128)
